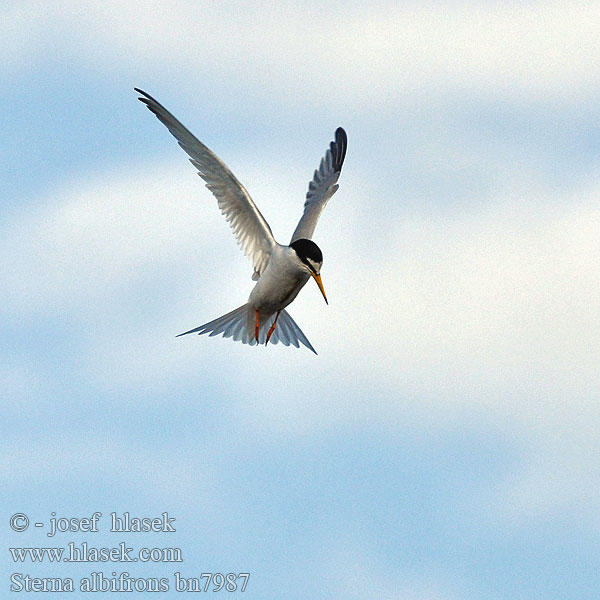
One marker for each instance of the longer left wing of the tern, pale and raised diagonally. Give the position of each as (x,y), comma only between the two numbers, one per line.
(249,226)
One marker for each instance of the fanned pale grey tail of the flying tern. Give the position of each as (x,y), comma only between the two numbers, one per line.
(238,325)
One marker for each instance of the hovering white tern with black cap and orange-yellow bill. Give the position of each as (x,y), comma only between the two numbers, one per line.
(280,271)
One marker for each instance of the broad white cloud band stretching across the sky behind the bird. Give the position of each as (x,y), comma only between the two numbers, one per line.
(481,313)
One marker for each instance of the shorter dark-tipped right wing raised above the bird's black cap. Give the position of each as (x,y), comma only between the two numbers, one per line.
(322,186)
